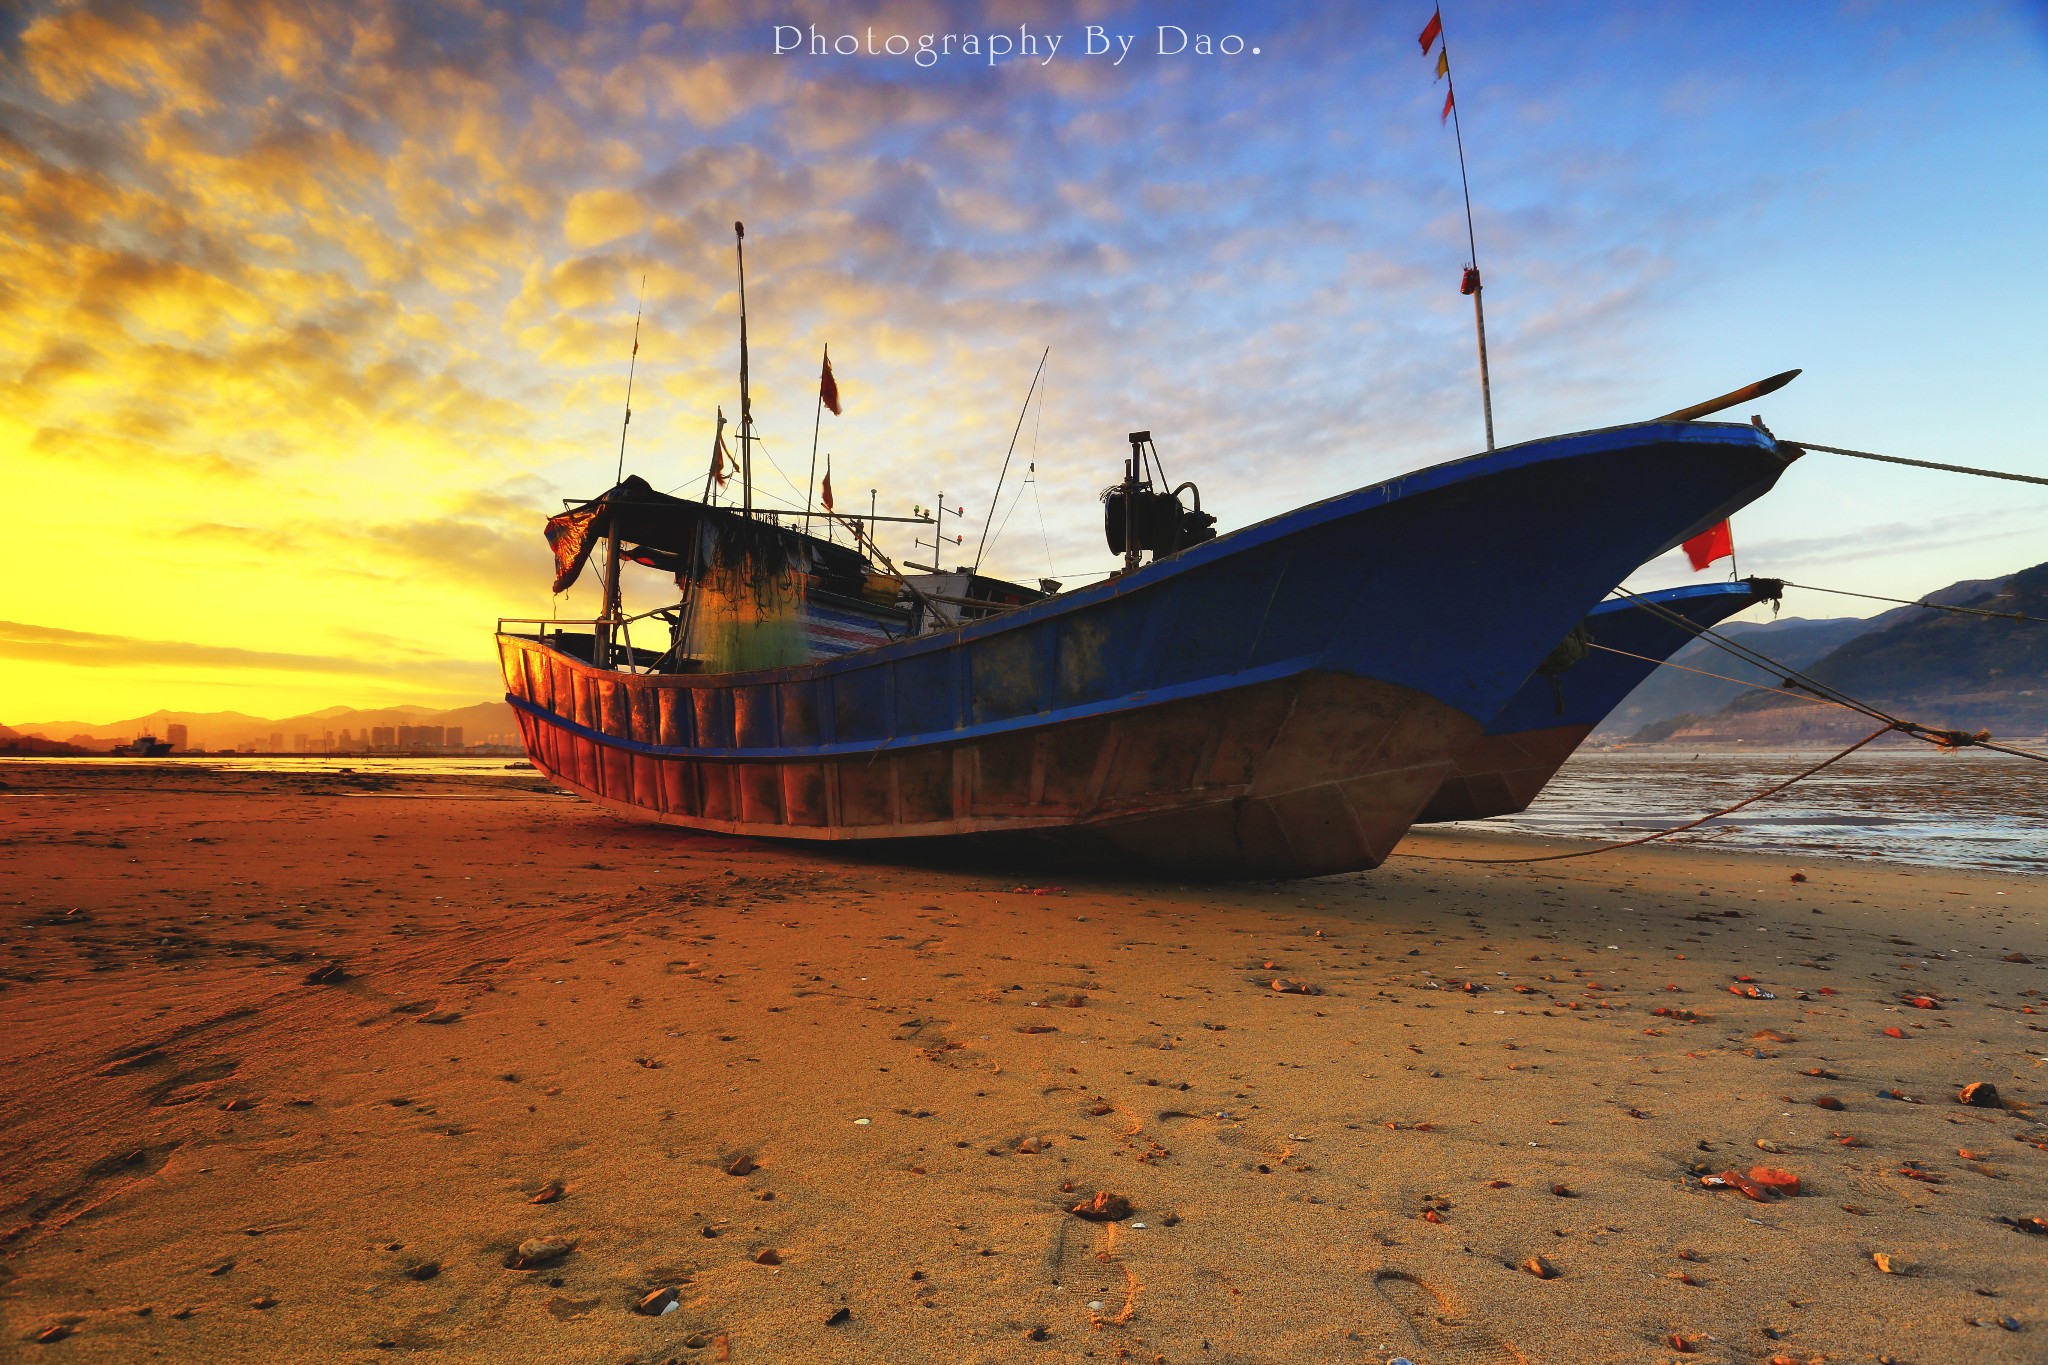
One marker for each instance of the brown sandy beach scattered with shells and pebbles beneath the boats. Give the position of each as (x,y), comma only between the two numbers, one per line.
(675,1055)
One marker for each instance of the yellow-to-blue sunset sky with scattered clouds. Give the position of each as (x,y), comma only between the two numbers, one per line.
(310,314)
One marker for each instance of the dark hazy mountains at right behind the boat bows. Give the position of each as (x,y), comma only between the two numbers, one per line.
(1934,668)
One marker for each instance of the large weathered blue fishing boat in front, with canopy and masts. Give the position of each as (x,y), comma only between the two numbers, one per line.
(1279,701)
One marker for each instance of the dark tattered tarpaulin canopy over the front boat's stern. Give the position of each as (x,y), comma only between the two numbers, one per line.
(679,535)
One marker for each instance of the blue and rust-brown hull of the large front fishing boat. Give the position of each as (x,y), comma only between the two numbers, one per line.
(1275,703)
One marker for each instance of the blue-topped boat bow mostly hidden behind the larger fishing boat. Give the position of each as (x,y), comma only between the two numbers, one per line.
(1590,674)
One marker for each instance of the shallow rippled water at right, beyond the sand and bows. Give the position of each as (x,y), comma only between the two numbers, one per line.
(1924,807)
